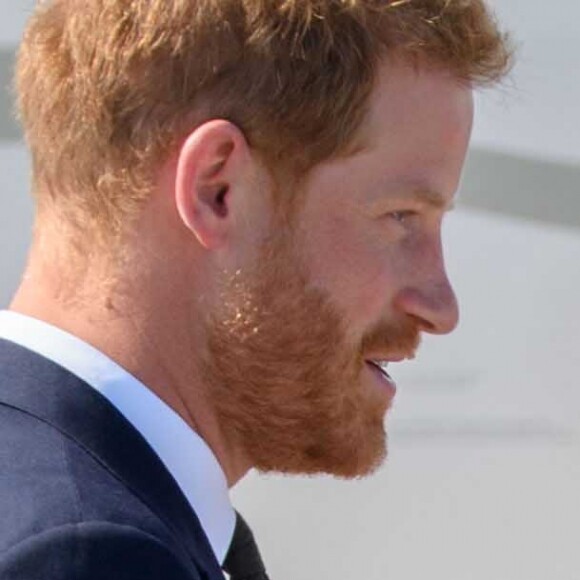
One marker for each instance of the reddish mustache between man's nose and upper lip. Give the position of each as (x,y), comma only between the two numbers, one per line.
(401,338)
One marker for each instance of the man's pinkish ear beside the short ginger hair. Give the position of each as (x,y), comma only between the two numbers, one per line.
(212,170)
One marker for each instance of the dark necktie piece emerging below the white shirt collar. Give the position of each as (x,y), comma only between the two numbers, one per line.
(243,560)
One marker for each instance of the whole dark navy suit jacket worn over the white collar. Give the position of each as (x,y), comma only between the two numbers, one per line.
(82,495)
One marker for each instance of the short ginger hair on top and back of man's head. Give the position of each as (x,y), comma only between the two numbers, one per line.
(108,88)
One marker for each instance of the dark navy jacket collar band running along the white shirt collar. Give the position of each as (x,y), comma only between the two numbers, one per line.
(42,388)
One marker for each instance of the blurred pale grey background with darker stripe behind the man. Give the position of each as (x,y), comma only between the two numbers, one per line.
(483,477)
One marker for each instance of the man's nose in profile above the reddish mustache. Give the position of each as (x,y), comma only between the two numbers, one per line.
(434,306)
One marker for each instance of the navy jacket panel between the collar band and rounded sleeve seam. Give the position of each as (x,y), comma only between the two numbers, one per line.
(49,482)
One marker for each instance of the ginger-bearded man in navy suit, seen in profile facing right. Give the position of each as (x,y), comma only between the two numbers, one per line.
(239,205)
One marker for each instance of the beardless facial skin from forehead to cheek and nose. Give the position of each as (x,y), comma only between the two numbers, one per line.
(388,203)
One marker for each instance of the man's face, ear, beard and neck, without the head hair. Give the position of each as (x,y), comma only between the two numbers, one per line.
(361,264)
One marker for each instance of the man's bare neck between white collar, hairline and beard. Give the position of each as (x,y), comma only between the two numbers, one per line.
(147,335)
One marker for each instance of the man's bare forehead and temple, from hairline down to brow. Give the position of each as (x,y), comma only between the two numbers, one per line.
(414,138)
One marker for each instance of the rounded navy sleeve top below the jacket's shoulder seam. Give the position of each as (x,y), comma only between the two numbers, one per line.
(93,551)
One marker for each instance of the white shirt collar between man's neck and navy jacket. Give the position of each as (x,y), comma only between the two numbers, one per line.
(187,457)
